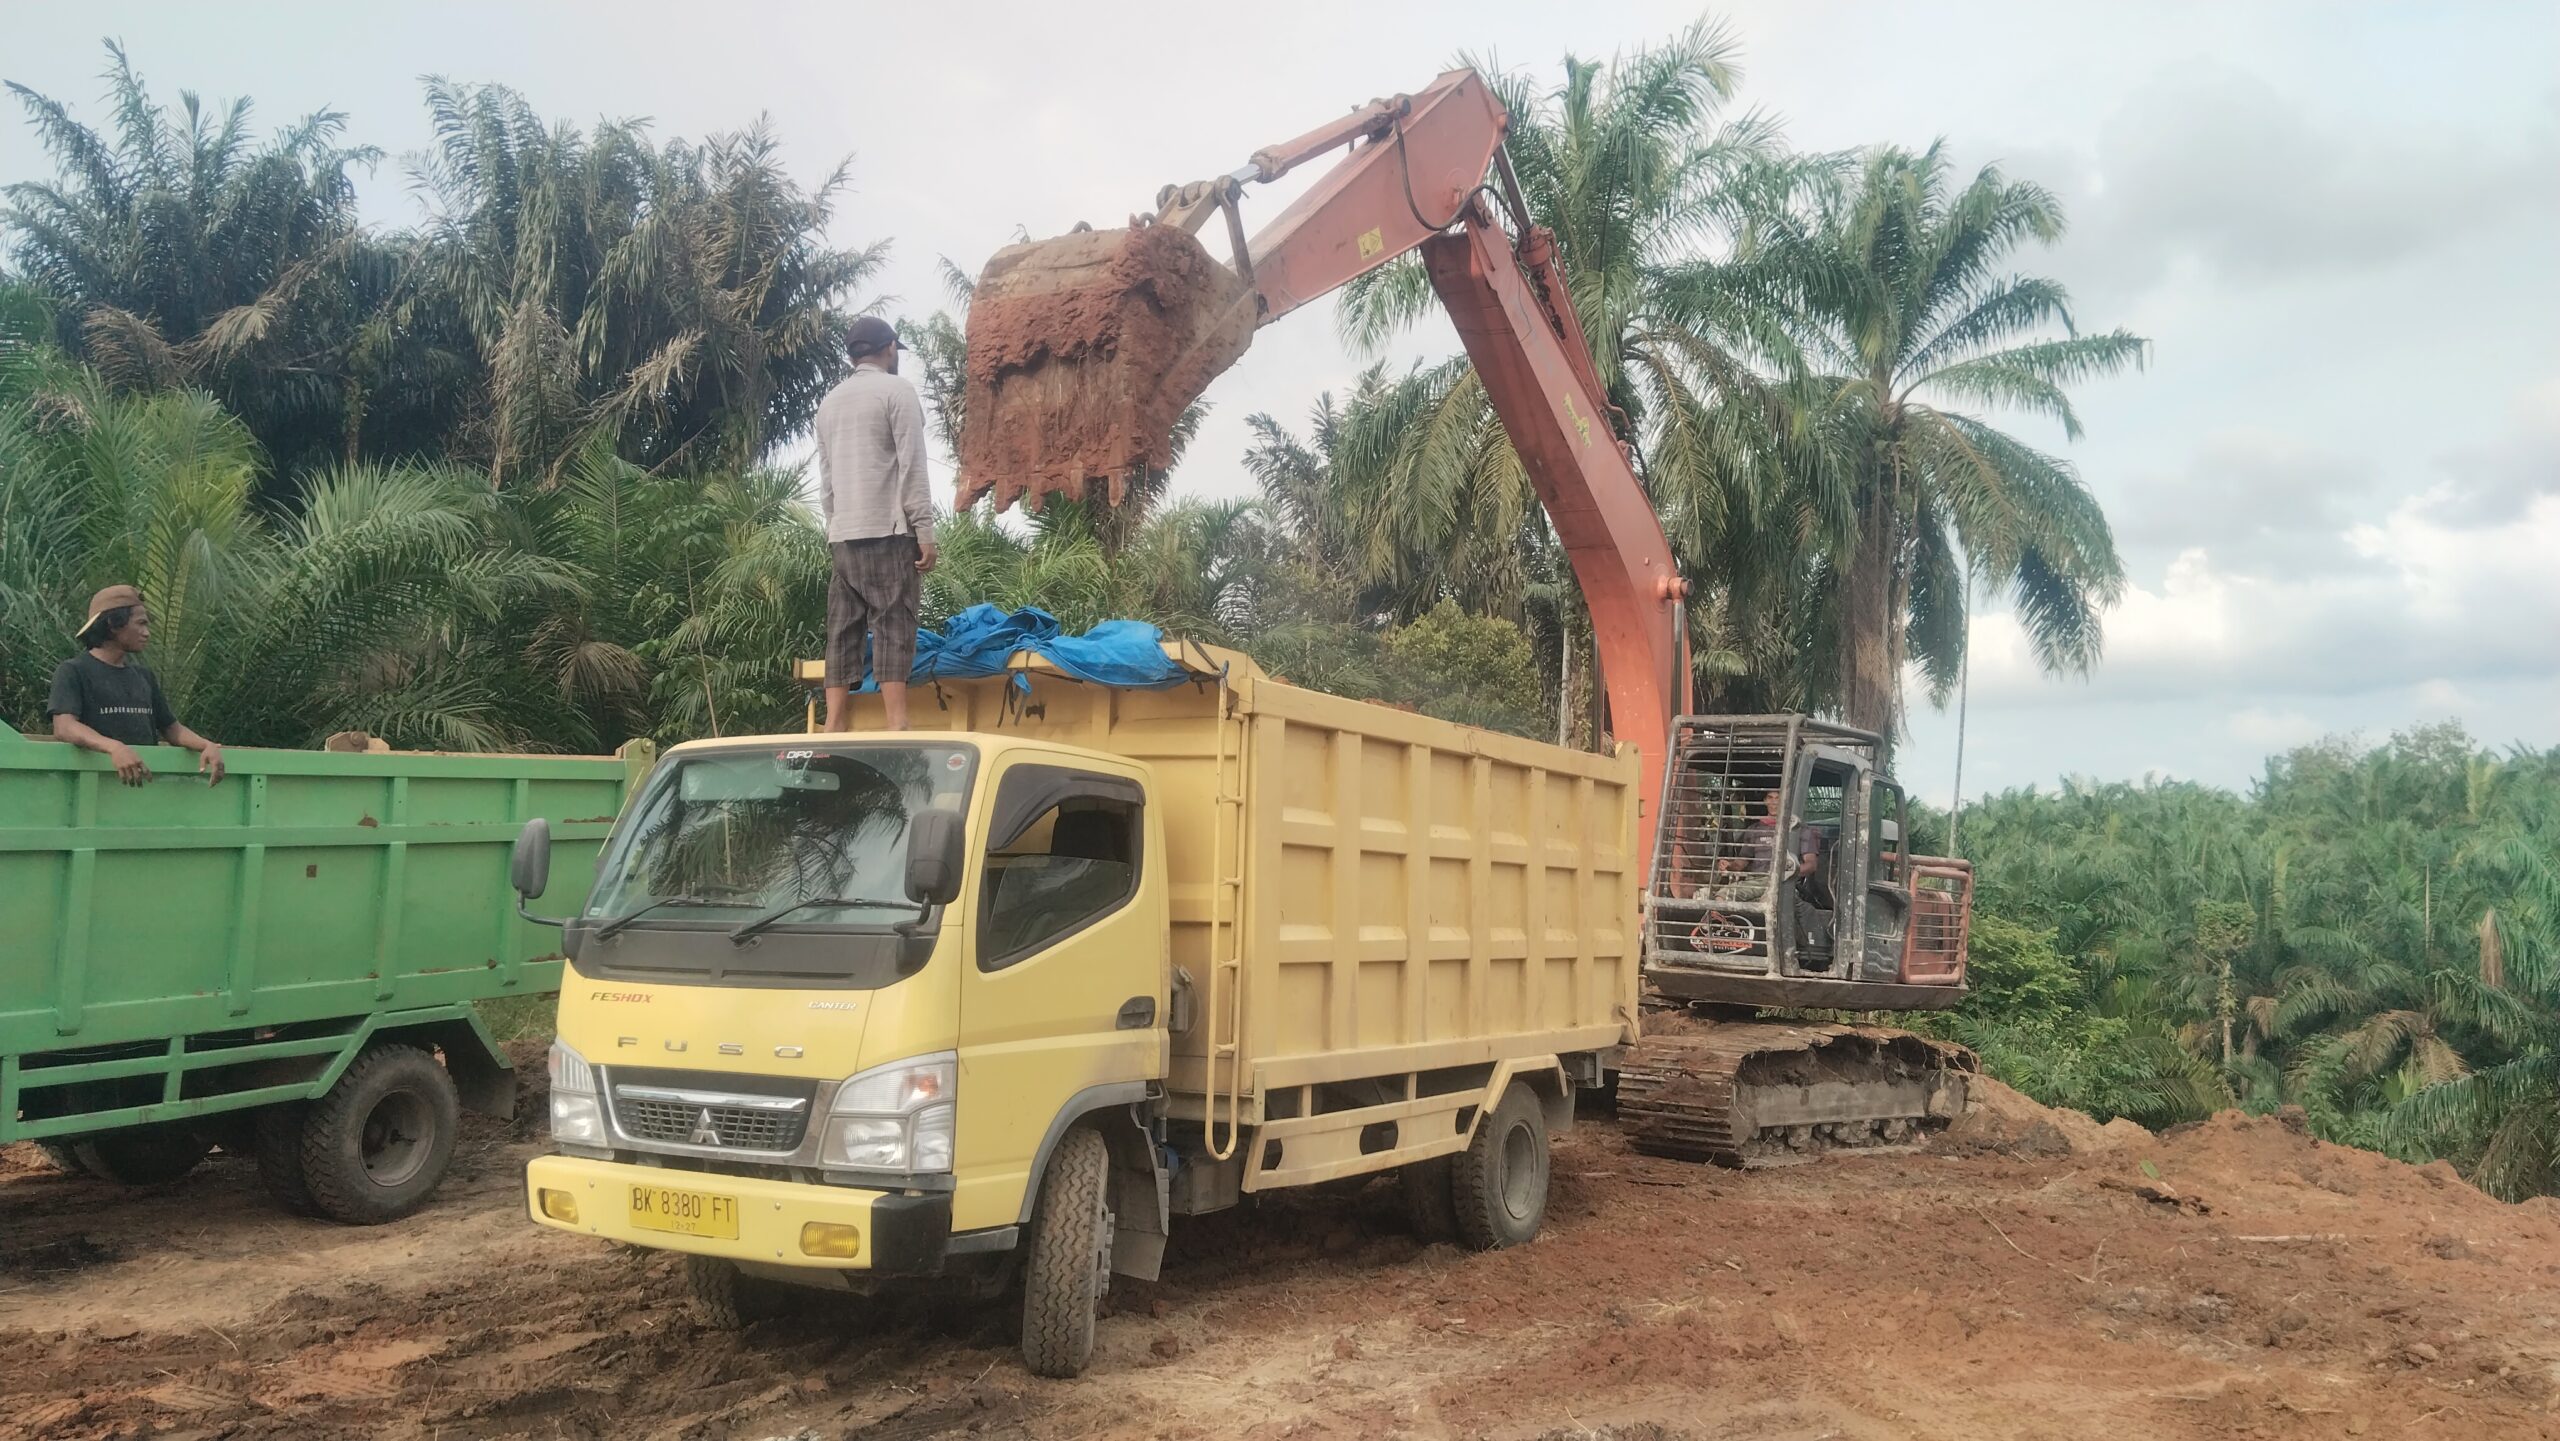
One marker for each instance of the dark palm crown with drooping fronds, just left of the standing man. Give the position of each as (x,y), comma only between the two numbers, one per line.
(677,301)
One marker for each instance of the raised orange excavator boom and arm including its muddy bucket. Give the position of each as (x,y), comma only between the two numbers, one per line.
(1087,349)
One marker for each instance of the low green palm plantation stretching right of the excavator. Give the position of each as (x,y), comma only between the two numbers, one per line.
(2372,935)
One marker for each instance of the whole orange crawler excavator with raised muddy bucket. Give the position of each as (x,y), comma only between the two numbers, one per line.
(1778,874)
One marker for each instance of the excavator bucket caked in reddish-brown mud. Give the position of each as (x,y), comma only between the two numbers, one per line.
(1082,357)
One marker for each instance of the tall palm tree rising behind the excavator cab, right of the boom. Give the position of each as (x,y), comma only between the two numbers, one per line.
(1898,296)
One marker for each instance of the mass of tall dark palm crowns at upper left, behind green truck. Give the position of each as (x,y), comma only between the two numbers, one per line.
(675,301)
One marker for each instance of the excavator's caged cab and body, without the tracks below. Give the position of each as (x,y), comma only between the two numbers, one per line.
(1780,877)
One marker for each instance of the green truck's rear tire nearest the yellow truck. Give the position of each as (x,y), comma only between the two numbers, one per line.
(383,1138)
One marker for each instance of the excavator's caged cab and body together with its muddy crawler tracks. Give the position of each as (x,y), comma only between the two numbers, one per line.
(1783,884)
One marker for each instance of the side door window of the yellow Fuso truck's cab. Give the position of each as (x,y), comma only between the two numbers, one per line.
(1064,854)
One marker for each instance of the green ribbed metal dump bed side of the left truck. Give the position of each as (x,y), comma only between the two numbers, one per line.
(308,895)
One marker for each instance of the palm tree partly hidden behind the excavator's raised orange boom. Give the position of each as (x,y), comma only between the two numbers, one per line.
(1629,165)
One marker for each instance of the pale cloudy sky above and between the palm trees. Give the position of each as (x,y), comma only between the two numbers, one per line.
(2339,482)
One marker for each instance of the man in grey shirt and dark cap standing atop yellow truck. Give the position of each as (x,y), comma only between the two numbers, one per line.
(879,523)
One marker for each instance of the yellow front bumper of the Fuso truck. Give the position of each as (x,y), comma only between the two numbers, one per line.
(900,1235)
